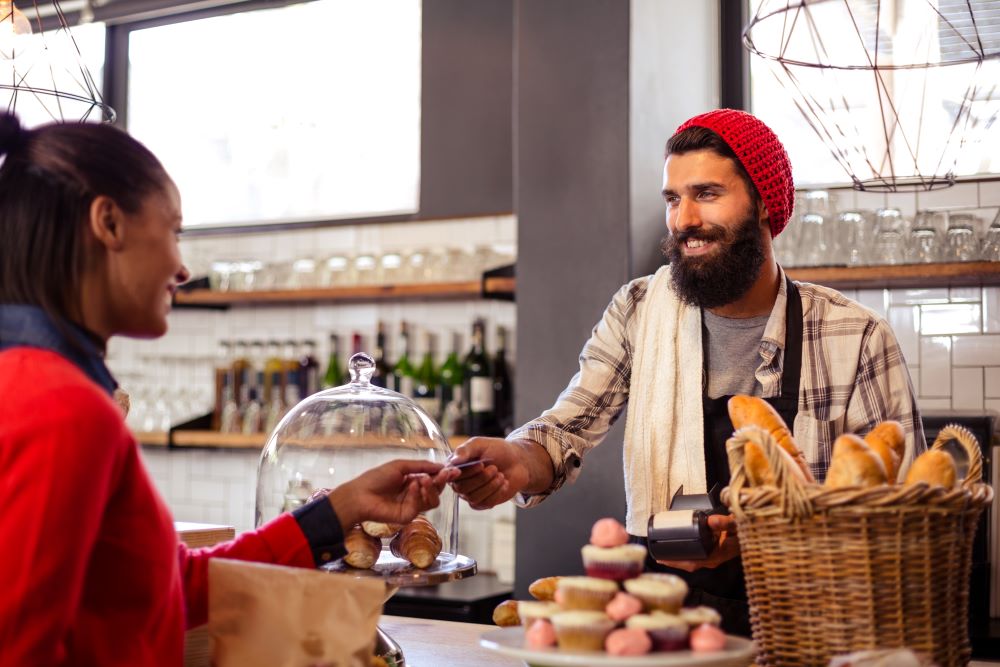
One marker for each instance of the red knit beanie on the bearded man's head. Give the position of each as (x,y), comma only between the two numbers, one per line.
(760,153)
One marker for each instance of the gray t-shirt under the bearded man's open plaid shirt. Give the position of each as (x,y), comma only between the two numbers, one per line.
(732,354)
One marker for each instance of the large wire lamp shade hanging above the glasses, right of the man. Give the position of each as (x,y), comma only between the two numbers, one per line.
(900,91)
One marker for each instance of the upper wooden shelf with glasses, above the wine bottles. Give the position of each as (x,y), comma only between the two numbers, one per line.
(492,287)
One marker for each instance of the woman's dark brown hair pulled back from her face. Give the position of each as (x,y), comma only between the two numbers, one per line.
(49,178)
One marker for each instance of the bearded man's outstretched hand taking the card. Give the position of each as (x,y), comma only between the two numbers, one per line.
(507,468)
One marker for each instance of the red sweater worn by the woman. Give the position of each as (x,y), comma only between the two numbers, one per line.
(91,572)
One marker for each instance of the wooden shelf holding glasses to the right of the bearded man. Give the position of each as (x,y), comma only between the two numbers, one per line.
(959,274)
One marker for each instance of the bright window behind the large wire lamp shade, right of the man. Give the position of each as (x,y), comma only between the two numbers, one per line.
(936,106)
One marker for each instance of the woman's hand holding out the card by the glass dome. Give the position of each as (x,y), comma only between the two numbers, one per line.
(393,492)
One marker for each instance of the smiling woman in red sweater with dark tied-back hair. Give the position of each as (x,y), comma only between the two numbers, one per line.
(91,572)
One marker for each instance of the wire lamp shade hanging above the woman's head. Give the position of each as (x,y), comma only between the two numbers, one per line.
(42,74)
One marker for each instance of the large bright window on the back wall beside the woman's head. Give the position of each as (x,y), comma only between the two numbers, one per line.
(307,112)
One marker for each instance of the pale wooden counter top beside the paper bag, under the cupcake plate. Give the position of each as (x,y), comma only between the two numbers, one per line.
(427,643)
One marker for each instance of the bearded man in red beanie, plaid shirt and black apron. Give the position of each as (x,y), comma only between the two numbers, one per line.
(720,319)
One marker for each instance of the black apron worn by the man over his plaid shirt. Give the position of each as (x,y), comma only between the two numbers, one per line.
(723,588)
